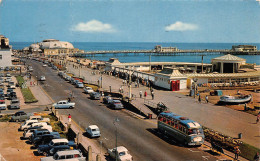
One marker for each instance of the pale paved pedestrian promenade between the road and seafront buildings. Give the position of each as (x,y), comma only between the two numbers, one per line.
(222,119)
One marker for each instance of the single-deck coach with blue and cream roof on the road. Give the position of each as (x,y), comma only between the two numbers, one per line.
(182,129)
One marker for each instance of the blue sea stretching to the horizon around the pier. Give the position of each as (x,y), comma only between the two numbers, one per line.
(95,46)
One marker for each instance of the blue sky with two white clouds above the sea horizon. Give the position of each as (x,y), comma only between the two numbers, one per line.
(198,21)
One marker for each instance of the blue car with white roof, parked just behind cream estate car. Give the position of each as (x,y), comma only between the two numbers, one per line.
(54,143)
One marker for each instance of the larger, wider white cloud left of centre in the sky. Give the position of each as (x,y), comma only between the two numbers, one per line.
(93,26)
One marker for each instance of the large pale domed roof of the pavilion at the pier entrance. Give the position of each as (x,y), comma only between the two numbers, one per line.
(55,44)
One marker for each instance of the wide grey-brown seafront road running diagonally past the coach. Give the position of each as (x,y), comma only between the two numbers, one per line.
(137,135)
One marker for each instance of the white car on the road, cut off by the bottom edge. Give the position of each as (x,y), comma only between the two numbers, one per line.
(120,153)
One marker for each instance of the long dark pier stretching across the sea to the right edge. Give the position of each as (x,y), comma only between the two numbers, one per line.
(169,53)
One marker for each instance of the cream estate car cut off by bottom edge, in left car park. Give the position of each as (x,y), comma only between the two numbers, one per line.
(73,155)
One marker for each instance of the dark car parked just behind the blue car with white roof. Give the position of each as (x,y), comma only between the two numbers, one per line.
(45,139)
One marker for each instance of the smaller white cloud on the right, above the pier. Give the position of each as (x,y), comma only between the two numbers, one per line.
(180,26)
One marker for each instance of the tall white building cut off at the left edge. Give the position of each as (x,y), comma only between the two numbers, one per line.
(5,52)
